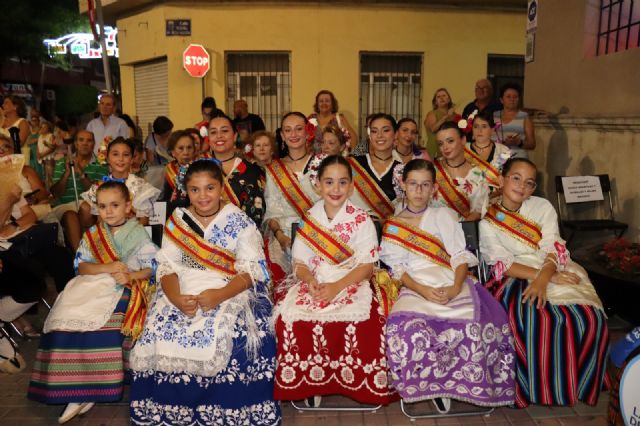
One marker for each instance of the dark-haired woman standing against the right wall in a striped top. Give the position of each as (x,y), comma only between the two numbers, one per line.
(515,128)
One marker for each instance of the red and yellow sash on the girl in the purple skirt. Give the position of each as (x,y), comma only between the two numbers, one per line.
(416,241)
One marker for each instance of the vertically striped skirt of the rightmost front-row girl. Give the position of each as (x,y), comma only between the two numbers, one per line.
(561,350)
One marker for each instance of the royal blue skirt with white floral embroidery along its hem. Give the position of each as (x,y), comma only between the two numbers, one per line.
(240,394)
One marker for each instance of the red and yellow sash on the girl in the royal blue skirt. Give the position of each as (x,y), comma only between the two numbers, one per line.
(198,249)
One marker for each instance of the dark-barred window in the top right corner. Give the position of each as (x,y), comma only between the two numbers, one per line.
(618,26)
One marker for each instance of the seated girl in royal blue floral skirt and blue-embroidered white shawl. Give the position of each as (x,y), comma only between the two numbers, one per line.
(207,355)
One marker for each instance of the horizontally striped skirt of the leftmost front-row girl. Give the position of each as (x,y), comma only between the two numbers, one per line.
(81,366)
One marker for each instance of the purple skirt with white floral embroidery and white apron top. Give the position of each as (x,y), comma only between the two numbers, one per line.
(462,350)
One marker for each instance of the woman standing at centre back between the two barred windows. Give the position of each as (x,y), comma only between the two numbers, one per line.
(326,112)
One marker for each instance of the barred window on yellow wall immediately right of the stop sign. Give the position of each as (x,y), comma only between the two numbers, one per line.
(263,80)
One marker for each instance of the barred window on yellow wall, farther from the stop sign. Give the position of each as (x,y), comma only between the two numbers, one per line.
(390,83)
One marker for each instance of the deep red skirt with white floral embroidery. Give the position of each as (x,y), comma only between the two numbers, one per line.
(333,358)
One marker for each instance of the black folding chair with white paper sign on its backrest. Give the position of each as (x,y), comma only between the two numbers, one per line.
(589,225)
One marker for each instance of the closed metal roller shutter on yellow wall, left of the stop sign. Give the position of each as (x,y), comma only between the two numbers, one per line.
(152,94)
